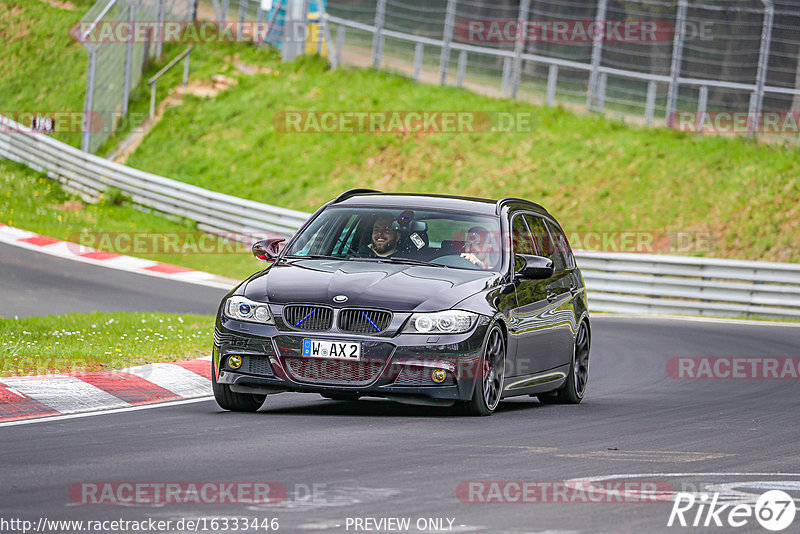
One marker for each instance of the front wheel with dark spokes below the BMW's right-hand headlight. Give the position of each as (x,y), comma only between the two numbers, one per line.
(490,377)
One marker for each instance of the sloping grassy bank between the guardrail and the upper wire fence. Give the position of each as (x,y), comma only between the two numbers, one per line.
(729,197)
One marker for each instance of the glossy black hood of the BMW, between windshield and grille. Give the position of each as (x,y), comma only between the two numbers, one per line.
(396,287)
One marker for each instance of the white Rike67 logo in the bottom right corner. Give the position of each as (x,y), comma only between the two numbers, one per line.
(774,510)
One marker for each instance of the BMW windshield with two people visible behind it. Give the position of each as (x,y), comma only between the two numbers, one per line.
(451,239)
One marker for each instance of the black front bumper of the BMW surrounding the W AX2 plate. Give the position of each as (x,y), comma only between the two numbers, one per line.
(399,367)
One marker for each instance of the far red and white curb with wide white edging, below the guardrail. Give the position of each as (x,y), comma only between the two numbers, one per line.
(65,249)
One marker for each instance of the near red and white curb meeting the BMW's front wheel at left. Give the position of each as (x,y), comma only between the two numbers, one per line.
(23,397)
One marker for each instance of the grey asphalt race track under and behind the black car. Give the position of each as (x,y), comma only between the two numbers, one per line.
(376,459)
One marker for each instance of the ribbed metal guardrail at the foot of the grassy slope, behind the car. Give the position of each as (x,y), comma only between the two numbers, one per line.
(616,282)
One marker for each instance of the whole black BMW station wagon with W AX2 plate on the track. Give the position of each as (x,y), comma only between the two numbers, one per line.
(423,299)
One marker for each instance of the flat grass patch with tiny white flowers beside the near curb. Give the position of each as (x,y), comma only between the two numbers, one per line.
(87,342)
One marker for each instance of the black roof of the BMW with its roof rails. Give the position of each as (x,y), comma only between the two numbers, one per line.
(483,206)
